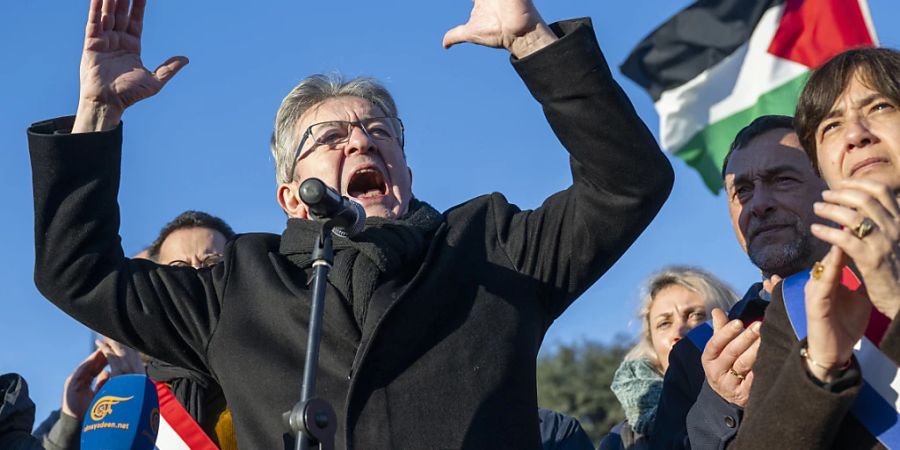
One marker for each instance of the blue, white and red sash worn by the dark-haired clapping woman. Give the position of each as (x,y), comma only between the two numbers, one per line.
(878,402)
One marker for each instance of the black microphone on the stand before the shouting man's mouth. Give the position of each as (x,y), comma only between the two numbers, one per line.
(346,216)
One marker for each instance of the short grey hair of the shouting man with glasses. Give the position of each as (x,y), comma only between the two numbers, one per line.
(309,92)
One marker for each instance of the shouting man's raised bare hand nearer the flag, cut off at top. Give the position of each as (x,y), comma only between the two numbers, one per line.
(514,25)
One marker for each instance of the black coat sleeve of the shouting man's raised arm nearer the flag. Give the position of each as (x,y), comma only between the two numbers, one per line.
(620,176)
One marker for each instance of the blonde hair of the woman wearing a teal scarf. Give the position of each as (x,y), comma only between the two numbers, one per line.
(714,292)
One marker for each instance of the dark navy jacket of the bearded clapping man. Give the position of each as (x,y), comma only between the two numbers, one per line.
(690,414)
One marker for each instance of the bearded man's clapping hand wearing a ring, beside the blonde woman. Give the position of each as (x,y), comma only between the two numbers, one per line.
(729,356)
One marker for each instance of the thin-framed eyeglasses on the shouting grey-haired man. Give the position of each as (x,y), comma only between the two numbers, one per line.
(333,133)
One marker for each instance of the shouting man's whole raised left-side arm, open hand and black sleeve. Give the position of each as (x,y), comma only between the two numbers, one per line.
(168,313)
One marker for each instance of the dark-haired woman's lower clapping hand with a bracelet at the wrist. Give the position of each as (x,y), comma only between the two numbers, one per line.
(836,318)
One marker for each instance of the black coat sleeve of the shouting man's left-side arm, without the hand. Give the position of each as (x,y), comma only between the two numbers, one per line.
(167,312)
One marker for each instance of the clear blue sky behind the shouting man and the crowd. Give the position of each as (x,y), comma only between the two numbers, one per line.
(472,128)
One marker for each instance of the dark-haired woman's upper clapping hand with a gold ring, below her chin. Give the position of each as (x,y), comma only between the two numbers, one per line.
(877,253)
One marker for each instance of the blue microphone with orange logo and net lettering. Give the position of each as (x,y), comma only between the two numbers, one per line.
(123,415)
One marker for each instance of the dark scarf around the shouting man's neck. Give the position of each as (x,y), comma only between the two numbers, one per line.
(384,246)
